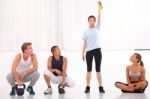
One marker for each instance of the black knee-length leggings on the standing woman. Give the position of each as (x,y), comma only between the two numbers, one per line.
(96,53)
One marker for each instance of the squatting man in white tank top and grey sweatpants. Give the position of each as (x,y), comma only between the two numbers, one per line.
(24,69)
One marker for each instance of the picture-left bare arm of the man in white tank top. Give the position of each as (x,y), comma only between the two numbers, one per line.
(14,66)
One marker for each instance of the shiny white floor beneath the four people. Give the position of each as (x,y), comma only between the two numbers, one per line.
(113,69)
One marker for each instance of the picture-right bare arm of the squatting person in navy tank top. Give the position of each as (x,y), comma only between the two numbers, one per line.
(64,70)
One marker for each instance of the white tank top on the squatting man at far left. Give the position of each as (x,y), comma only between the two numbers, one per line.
(24,64)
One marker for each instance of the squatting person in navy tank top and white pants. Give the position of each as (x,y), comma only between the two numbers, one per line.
(56,72)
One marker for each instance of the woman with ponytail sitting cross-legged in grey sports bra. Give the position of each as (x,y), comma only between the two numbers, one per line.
(135,74)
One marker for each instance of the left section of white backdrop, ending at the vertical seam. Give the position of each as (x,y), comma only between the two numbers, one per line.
(28,20)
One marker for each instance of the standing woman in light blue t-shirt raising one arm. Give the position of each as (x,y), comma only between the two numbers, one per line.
(92,46)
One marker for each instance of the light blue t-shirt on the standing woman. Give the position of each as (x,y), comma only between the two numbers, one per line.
(93,37)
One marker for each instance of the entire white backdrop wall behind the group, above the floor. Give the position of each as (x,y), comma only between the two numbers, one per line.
(125,23)
